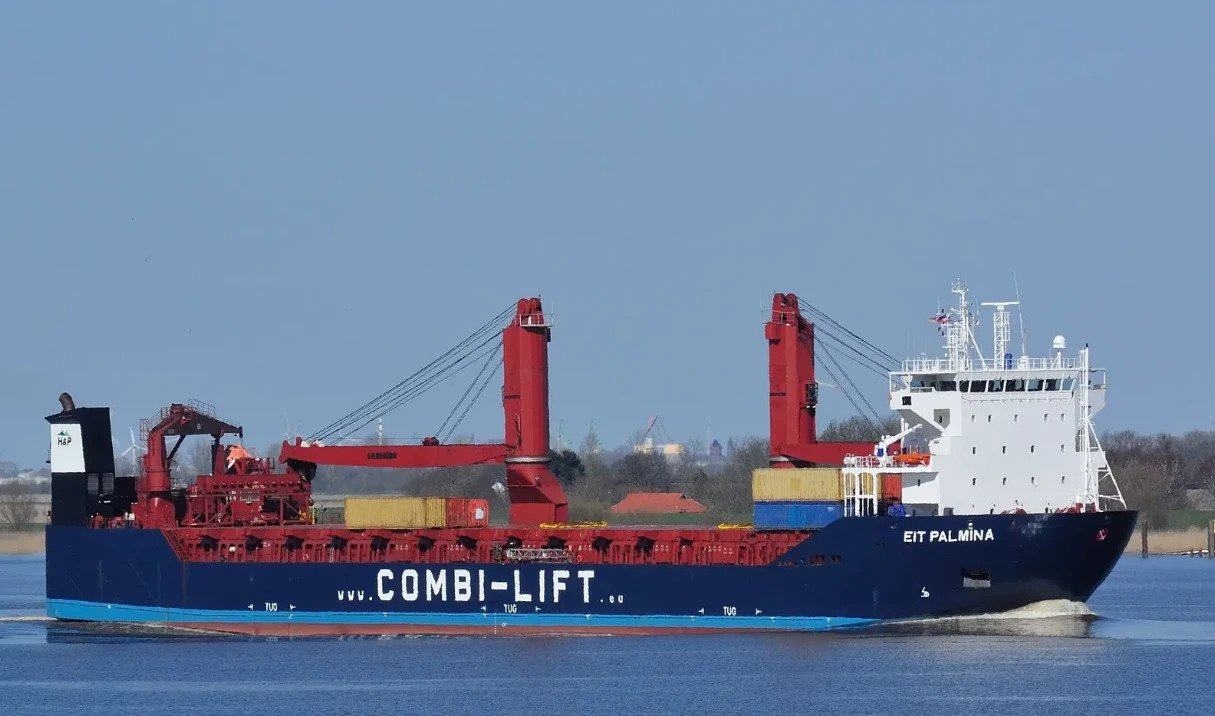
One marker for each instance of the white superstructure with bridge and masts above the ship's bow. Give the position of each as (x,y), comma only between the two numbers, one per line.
(991,436)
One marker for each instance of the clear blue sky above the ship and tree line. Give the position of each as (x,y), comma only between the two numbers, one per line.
(285,208)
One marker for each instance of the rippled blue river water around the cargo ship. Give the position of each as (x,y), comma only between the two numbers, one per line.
(1148,647)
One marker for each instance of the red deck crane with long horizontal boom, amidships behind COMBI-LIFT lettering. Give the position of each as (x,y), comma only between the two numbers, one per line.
(536,495)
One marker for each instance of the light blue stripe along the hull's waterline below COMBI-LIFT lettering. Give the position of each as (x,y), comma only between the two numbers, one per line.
(126,613)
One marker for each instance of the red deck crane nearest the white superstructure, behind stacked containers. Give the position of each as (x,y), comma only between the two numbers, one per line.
(794,394)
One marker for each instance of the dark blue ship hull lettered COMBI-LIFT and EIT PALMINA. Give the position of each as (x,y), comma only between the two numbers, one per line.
(856,571)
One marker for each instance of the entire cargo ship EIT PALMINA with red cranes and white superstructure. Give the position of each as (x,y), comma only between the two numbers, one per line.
(996,494)
